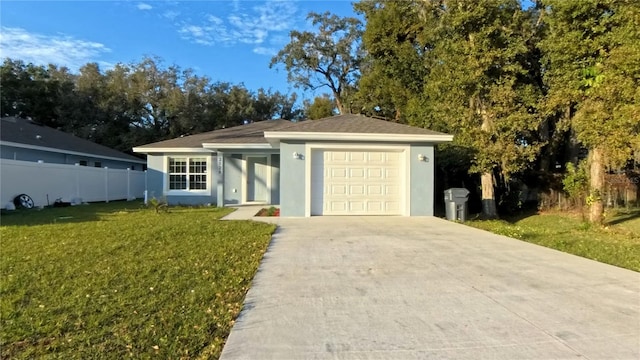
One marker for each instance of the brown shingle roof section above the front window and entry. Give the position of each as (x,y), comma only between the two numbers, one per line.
(243,134)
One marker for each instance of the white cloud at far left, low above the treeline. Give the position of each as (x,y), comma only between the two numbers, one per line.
(63,50)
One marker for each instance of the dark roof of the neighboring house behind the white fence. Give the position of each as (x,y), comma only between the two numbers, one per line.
(25,133)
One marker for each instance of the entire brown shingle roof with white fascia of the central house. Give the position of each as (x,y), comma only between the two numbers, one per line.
(267,134)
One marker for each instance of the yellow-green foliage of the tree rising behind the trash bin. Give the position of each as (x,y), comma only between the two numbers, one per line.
(479,84)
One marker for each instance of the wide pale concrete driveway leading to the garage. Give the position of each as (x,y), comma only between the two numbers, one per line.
(425,288)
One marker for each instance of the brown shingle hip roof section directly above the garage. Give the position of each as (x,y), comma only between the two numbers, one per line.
(357,124)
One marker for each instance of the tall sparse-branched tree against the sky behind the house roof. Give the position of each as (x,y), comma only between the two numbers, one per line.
(329,57)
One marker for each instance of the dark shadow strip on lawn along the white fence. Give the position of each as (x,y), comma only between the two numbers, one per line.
(65,215)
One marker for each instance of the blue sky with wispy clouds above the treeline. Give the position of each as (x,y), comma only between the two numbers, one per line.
(229,41)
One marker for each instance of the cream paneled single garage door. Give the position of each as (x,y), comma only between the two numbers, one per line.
(356,182)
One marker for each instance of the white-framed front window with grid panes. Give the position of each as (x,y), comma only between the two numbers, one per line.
(187,174)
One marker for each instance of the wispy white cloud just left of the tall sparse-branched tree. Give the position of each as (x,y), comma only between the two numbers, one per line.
(255,26)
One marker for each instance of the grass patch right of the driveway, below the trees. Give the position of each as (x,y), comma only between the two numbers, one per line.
(617,243)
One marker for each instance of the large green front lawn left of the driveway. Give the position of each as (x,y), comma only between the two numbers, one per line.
(118,280)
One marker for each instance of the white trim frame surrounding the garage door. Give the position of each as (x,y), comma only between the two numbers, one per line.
(405,150)
